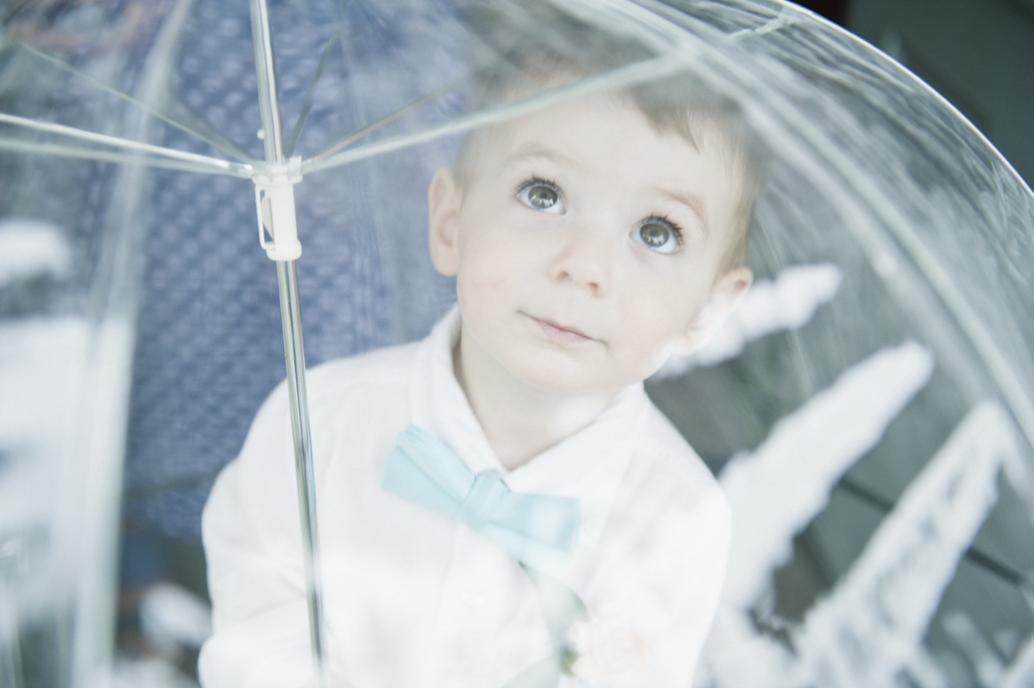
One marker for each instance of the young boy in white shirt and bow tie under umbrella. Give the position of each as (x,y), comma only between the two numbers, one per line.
(590,242)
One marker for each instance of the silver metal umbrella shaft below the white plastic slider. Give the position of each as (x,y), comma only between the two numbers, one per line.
(294,354)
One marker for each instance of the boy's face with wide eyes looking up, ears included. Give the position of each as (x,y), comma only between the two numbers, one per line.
(588,247)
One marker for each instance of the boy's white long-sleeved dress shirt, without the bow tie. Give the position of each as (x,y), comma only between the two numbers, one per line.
(416,600)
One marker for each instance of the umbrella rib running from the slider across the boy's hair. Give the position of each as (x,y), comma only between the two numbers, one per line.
(624,77)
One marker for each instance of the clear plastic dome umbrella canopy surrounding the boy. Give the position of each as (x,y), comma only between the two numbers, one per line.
(867,409)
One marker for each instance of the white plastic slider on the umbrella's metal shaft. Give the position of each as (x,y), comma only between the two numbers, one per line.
(276,205)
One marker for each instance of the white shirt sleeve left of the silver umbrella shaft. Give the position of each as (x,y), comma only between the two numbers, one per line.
(253,546)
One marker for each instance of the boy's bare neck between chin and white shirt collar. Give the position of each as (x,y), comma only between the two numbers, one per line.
(521,422)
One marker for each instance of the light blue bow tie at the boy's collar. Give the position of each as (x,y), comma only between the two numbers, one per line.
(425,471)
